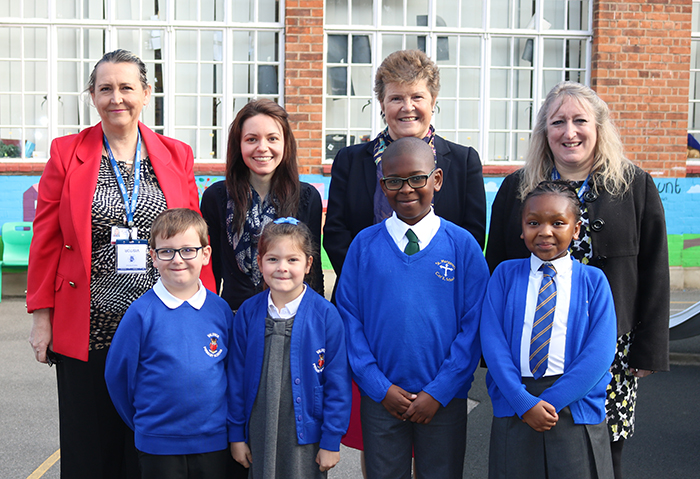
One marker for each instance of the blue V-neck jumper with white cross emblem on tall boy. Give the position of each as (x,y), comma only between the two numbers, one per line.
(413,320)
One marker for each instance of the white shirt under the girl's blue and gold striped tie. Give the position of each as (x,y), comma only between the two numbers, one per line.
(557,343)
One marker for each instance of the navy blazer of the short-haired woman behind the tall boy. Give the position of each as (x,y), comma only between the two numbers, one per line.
(351,196)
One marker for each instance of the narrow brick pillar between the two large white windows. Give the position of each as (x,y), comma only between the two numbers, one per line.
(303,84)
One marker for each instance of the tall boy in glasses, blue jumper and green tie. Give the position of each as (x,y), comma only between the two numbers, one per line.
(410,296)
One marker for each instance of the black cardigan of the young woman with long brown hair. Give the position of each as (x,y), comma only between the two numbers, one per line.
(237,286)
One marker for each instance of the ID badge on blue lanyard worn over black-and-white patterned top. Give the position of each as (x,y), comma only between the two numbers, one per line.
(131,253)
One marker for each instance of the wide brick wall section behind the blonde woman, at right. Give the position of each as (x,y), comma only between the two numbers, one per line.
(640,67)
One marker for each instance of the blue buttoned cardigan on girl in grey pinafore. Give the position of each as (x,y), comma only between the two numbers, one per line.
(319,367)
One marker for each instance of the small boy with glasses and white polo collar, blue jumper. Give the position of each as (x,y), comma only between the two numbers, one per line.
(168,368)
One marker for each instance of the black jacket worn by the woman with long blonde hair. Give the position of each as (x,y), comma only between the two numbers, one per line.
(629,241)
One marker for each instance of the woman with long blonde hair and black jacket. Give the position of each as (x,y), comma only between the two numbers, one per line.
(623,233)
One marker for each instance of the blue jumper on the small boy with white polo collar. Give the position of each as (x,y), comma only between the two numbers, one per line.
(167,373)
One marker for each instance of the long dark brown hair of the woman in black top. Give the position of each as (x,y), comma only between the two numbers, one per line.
(284,186)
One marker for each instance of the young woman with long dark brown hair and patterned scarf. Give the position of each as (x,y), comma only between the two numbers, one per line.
(262,184)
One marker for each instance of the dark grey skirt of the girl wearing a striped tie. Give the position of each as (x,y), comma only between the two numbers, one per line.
(565,451)
